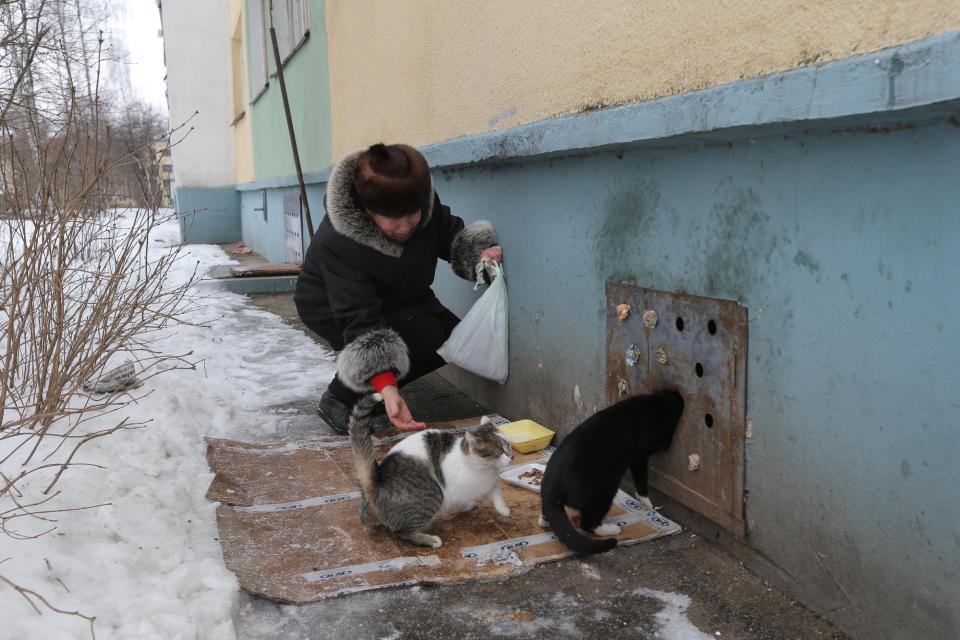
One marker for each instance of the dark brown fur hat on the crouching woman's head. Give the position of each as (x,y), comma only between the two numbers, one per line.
(393,180)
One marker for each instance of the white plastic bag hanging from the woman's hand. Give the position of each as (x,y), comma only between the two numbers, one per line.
(479,343)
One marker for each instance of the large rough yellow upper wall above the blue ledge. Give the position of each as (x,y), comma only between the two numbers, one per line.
(420,71)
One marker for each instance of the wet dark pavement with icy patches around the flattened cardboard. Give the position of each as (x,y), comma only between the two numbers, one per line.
(681,587)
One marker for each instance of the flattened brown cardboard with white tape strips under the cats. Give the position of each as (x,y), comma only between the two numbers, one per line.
(289,527)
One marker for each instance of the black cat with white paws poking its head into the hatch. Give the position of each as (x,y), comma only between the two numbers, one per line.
(585,471)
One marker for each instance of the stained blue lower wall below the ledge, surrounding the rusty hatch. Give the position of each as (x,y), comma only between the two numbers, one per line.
(846,249)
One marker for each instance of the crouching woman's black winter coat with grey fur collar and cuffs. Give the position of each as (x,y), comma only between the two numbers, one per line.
(355,280)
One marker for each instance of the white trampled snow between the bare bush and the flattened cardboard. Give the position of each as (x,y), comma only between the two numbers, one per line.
(149,564)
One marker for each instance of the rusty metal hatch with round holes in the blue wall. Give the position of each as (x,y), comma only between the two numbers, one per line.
(699,346)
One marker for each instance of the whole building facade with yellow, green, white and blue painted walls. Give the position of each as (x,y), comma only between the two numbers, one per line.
(799,159)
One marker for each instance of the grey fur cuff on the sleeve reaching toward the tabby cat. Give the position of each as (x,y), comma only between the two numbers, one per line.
(371,353)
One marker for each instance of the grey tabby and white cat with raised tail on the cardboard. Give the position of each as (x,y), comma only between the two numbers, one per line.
(427,474)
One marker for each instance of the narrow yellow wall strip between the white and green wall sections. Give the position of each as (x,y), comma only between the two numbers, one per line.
(242,130)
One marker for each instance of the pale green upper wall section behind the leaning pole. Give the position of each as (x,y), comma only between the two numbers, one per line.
(307,80)
